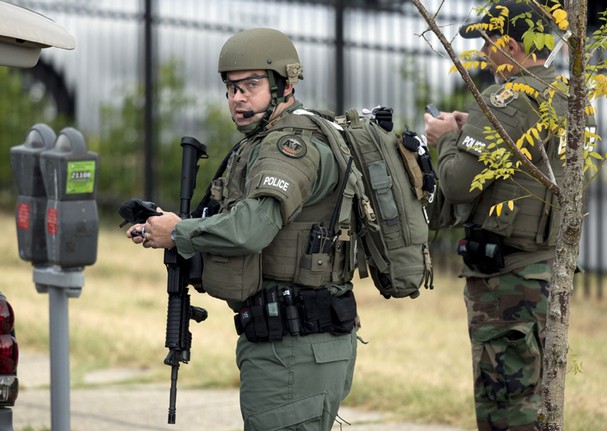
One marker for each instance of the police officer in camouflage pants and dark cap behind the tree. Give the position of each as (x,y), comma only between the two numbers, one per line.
(508,256)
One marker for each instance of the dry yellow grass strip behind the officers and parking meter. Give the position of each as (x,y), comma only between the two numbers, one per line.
(416,364)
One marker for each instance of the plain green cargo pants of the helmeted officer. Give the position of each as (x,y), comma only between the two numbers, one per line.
(295,384)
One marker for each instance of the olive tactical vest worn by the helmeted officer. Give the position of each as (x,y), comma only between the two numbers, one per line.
(287,258)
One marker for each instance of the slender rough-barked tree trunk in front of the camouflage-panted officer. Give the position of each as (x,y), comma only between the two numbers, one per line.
(567,248)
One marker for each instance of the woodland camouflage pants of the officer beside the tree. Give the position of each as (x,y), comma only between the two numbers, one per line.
(506,321)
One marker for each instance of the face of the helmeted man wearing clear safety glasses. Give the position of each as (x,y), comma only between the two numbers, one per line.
(247,91)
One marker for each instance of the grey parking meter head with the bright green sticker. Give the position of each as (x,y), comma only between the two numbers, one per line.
(72,222)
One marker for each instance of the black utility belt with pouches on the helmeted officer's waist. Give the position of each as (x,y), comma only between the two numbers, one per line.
(275,312)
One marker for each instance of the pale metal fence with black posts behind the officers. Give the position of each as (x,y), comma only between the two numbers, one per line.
(355,54)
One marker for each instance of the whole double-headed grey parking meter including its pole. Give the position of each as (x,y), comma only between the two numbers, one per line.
(58,230)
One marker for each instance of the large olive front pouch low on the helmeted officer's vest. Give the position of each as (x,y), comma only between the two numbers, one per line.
(232,278)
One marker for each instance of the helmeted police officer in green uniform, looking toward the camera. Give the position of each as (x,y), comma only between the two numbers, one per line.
(266,251)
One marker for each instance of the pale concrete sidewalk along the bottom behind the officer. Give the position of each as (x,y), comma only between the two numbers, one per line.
(145,407)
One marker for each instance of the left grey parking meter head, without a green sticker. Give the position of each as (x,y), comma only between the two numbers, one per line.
(31,202)
